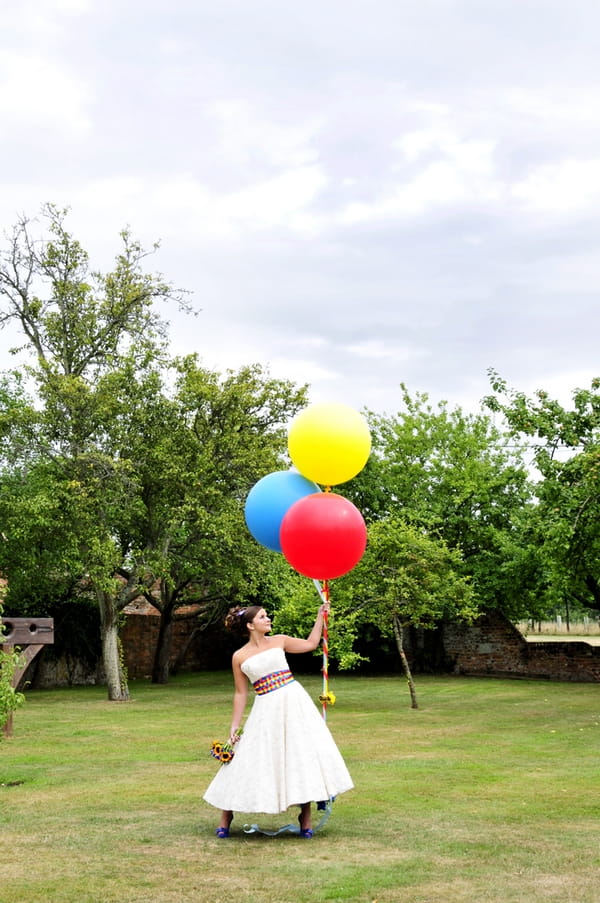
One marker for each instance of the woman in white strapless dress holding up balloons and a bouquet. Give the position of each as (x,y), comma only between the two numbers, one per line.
(286,755)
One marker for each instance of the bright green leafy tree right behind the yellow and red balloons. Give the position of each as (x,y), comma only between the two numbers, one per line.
(455,476)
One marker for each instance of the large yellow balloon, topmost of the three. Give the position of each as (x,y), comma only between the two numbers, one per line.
(329,443)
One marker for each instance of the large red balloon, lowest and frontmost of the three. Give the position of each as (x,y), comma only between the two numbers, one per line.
(323,536)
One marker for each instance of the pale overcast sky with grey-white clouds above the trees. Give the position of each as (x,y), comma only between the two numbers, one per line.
(357,194)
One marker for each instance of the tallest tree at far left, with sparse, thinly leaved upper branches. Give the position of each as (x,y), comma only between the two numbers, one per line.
(79,326)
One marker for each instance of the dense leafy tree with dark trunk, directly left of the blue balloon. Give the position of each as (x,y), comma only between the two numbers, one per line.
(197,451)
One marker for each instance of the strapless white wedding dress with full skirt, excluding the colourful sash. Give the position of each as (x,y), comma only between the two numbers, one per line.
(286,755)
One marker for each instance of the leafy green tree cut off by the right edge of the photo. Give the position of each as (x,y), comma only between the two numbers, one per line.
(566,450)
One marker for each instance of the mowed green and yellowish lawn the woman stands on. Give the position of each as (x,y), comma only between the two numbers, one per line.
(489,792)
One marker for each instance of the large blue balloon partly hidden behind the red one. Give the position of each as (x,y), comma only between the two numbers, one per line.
(268,501)
